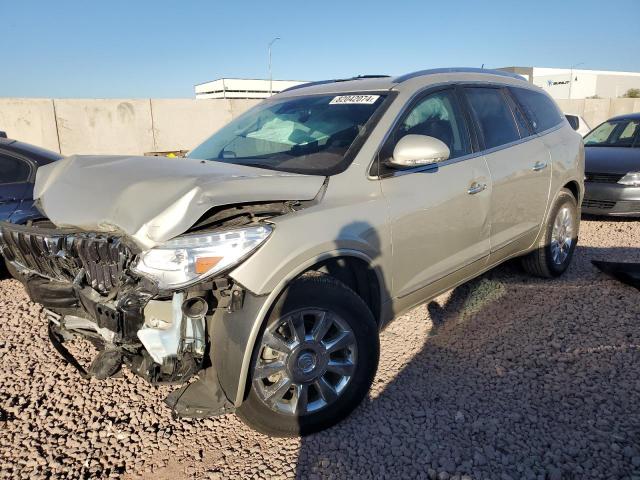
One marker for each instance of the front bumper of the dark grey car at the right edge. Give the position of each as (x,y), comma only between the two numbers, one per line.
(611,199)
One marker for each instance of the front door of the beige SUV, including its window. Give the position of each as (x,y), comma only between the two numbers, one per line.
(439,214)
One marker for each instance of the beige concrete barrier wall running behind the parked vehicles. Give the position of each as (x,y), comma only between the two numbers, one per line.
(133,127)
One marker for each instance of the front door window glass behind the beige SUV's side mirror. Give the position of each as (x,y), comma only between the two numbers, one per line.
(438,115)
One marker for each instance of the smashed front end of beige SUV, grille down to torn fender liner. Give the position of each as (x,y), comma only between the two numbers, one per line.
(86,288)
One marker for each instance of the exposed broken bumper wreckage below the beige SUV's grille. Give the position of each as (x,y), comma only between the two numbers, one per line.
(162,340)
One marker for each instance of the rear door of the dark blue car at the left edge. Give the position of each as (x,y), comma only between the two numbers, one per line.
(14,183)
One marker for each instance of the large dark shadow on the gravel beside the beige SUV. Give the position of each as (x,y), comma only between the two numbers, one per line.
(517,378)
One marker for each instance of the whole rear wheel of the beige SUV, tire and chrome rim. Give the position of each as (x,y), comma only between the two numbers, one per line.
(558,240)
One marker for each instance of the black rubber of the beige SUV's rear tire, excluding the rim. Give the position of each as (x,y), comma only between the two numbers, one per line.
(540,261)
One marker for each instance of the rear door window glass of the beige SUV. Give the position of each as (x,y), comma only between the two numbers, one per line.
(494,116)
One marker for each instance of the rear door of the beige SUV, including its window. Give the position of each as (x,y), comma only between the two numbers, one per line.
(520,167)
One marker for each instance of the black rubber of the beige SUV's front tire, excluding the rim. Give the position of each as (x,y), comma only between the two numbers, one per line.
(327,293)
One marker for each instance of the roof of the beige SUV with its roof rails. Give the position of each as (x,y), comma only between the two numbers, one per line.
(367,83)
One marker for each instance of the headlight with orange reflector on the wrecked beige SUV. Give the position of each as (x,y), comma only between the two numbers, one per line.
(190,258)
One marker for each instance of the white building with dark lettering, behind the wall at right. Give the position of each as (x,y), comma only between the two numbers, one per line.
(578,83)
